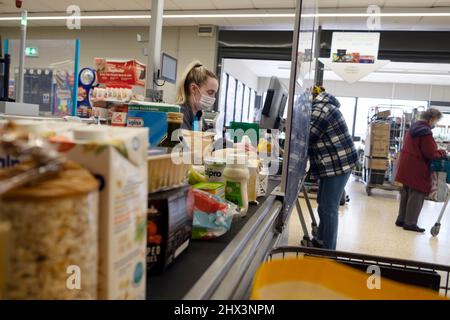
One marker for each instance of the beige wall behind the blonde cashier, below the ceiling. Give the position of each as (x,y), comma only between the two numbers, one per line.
(120,42)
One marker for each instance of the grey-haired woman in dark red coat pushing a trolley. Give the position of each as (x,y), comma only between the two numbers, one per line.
(419,149)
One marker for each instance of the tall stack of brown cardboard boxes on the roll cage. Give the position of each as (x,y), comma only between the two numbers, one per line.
(376,160)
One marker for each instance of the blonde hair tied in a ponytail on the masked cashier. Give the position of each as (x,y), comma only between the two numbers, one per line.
(196,73)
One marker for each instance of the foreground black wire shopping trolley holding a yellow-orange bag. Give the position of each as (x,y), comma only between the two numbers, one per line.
(297,273)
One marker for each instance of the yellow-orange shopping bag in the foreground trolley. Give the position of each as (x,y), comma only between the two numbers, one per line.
(311,278)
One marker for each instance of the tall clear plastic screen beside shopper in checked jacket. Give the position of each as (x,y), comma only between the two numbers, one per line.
(299,105)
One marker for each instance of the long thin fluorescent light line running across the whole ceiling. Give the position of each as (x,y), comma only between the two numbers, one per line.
(236,16)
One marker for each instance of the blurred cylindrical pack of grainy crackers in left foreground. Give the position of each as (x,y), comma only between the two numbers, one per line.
(54,235)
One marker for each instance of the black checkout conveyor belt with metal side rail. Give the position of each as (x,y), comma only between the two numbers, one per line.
(222,268)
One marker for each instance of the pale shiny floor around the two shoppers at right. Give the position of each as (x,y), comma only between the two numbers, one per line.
(366,225)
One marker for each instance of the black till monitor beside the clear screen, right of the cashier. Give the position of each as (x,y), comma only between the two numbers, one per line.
(274,105)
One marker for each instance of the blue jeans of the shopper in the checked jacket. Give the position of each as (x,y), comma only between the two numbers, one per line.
(328,198)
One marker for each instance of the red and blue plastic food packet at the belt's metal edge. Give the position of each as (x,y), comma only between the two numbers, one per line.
(212,216)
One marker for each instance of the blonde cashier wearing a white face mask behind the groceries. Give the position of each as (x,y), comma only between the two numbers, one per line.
(196,93)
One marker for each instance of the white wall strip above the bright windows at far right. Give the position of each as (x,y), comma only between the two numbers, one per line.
(389,91)
